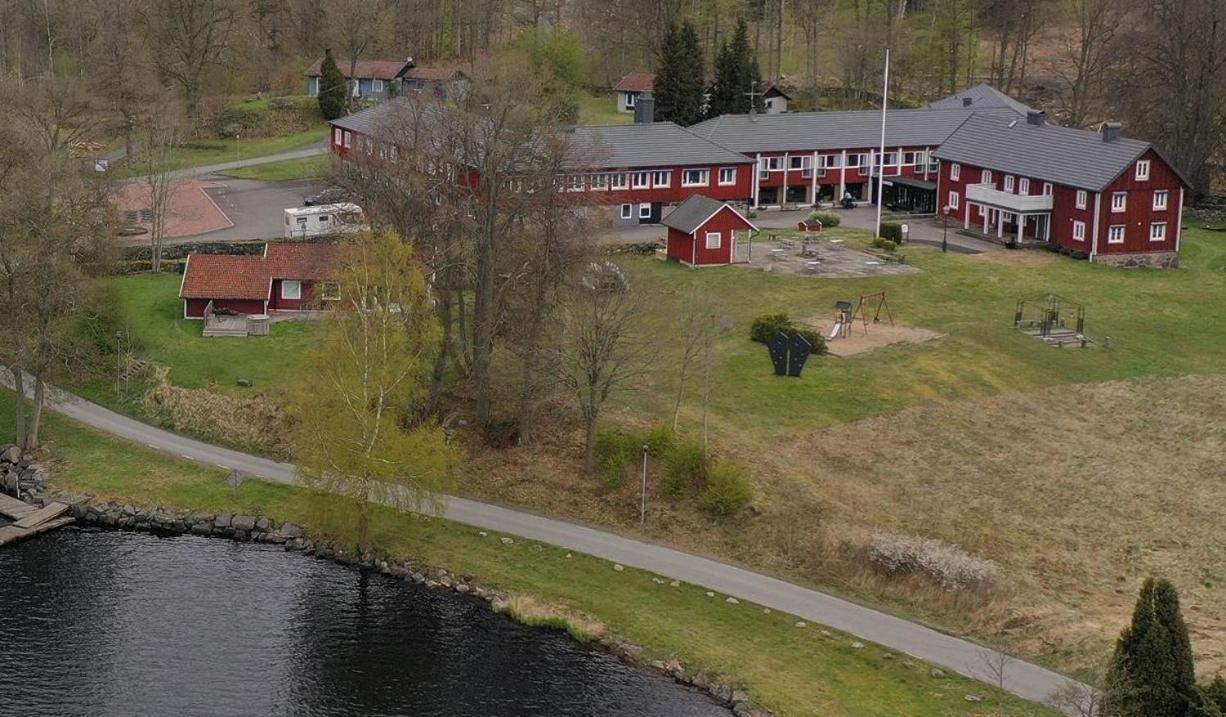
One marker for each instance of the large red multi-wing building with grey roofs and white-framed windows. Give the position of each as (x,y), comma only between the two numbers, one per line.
(981,159)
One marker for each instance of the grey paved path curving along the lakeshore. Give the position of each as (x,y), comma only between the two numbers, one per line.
(1023,680)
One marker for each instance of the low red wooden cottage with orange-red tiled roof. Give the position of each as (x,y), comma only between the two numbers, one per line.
(290,276)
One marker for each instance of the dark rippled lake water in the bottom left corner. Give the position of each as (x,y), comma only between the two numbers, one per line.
(109,623)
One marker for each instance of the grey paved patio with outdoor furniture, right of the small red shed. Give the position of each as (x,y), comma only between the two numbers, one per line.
(818,258)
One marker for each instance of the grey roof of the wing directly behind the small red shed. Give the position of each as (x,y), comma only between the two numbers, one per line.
(648,145)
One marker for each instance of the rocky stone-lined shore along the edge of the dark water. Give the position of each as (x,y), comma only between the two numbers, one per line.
(31,482)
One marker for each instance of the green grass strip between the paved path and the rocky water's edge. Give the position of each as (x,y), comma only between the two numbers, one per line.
(793,671)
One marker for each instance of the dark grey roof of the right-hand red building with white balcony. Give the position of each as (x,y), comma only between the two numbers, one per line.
(1077,159)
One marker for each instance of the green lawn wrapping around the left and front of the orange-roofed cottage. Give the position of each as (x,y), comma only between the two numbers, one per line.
(154,316)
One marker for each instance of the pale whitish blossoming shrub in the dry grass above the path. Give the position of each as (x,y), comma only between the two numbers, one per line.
(948,566)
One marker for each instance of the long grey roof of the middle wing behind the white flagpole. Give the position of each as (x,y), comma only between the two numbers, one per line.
(806,132)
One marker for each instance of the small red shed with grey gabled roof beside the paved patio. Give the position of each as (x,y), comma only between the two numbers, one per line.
(703,232)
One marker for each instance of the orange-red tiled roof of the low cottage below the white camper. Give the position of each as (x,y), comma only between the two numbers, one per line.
(227,276)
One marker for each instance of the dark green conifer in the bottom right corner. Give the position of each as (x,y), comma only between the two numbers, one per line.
(1153,667)
